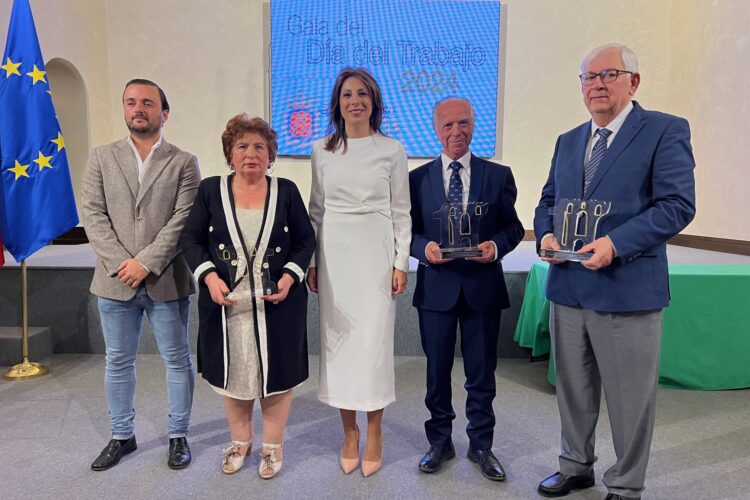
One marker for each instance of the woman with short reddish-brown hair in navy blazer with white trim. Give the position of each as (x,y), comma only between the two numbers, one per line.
(248,241)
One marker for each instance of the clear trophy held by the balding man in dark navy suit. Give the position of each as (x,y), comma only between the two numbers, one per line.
(459,228)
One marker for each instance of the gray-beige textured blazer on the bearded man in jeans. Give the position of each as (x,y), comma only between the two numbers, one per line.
(125,219)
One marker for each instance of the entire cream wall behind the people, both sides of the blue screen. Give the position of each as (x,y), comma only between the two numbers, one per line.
(208,56)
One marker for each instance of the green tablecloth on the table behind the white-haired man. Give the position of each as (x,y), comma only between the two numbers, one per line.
(706,330)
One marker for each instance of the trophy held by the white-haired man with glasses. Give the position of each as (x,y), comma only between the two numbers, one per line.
(575,224)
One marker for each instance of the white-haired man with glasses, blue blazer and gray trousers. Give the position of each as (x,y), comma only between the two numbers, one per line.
(605,317)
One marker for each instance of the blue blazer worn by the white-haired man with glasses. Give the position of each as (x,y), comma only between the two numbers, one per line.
(647,174)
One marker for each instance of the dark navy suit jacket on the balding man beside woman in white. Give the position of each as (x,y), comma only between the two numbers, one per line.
(439,286)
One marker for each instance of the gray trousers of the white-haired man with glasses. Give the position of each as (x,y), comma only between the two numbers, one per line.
(620,352)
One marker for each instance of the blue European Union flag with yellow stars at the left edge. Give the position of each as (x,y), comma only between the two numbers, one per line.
(39,204)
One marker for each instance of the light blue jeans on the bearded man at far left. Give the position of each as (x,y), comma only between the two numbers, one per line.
(121,325)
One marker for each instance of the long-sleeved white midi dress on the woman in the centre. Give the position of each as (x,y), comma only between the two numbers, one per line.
(359,207)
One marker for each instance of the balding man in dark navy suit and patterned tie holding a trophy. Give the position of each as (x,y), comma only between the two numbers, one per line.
(468,292)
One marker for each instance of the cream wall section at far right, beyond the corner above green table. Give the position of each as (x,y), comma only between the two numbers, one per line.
(709,81)
